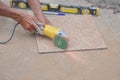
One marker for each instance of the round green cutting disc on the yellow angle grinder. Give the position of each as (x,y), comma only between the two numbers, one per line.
(60,42)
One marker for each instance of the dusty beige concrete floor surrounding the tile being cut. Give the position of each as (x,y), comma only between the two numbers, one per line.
(19,59)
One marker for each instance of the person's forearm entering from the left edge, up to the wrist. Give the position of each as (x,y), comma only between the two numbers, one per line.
(9,12)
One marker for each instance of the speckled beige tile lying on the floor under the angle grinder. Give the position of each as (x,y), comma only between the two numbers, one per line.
(81,30)
